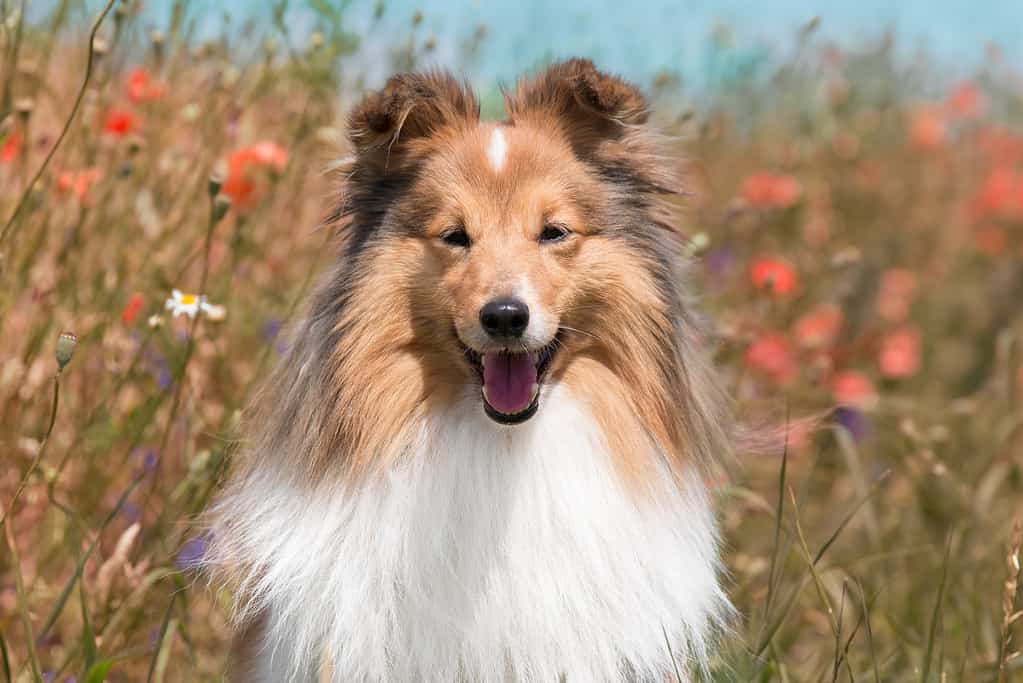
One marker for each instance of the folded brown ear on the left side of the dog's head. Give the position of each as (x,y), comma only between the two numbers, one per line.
(390,126)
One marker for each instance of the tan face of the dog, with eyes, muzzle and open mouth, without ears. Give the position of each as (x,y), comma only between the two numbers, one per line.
(508,249)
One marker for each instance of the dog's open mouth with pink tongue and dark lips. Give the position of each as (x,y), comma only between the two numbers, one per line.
(511,382)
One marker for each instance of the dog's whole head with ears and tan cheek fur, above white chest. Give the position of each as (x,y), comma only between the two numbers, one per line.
(506,257)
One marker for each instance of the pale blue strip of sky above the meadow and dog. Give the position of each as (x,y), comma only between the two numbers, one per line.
(640,38)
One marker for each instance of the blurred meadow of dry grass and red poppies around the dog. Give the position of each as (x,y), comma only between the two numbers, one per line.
(857,227)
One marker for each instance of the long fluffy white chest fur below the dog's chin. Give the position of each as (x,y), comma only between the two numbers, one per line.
(487,555)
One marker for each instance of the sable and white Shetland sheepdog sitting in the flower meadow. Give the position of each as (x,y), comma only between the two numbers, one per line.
(483,457)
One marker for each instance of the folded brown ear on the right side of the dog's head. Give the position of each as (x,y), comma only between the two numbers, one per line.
(588,105)
